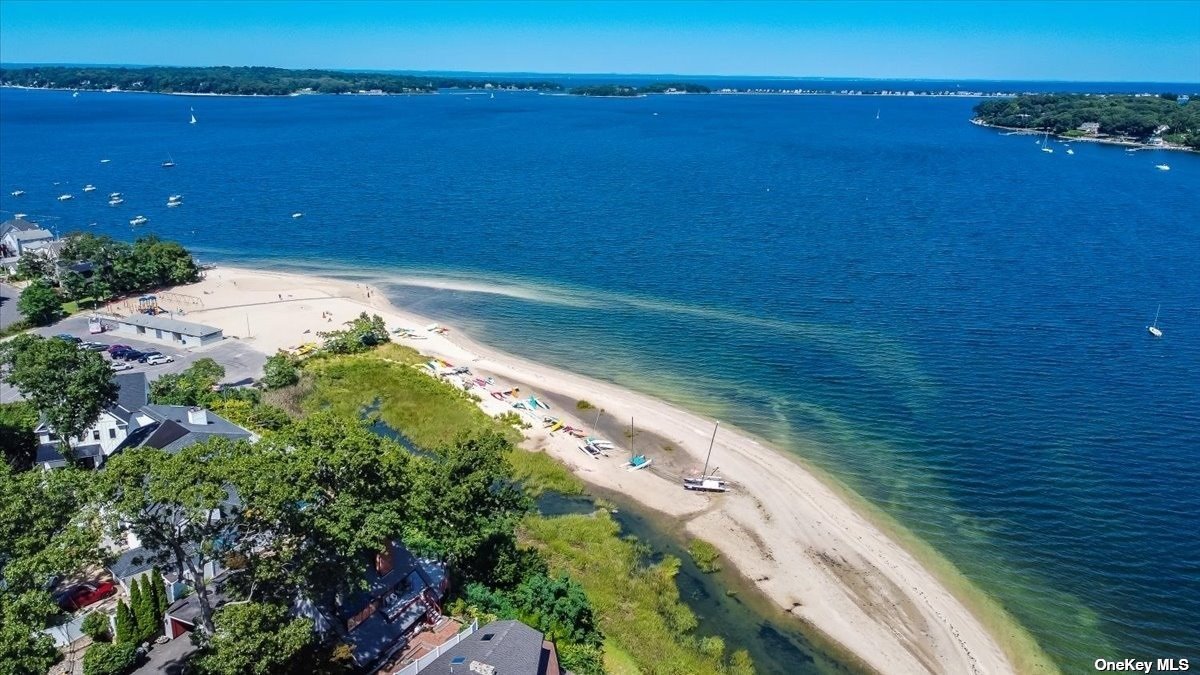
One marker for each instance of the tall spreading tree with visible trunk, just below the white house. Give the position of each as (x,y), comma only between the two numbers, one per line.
(178,505)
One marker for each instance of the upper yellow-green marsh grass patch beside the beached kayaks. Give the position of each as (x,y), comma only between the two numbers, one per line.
(430,413)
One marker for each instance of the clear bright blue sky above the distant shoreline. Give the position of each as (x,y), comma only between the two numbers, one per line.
(1064,40)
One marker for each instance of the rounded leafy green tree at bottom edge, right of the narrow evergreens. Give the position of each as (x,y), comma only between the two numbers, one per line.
(256,640)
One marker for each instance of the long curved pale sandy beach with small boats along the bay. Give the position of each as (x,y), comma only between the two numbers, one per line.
(794,536)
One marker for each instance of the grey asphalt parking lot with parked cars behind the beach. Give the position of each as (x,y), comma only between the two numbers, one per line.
(243,366)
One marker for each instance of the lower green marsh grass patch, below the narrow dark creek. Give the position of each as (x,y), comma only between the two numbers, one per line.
(638,607)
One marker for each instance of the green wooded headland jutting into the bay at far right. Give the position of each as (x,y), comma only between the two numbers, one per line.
(1135,117)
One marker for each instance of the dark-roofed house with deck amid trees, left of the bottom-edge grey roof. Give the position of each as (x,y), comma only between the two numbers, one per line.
(403,596)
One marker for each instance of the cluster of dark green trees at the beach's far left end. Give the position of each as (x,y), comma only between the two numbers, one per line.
(99,268)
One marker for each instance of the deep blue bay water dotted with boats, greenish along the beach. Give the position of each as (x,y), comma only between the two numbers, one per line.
(946,319)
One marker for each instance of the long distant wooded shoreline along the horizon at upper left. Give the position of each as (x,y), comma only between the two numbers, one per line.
(245,81)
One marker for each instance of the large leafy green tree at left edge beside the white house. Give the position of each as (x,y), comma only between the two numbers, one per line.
(69,386)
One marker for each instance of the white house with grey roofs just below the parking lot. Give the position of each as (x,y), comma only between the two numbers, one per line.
(134,423)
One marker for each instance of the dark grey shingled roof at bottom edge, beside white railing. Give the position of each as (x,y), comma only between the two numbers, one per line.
(511,647)
